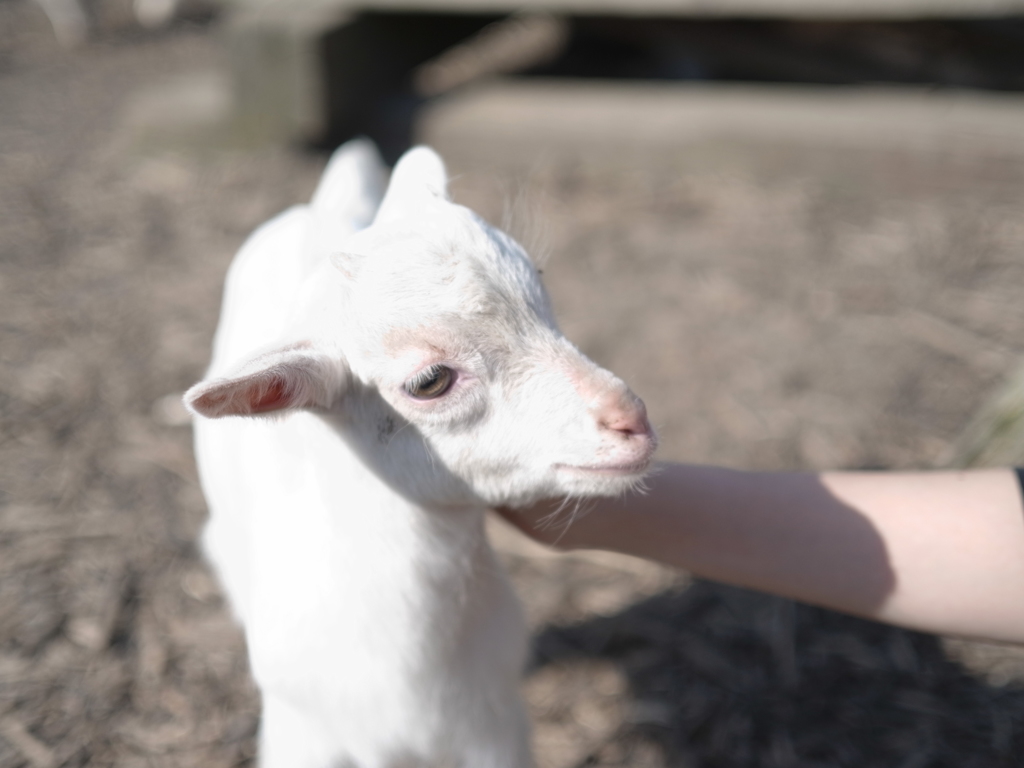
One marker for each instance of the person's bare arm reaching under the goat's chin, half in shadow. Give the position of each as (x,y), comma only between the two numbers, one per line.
(936,551)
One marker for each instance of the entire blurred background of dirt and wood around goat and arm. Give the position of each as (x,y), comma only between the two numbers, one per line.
(794,227)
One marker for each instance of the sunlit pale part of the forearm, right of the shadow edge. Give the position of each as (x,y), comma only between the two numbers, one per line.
(956,544)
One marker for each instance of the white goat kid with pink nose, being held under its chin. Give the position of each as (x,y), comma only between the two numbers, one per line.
(420,377)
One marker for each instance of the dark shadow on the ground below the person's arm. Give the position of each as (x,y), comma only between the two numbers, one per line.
(727,678)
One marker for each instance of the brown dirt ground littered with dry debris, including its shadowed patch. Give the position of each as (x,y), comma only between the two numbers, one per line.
(778,307)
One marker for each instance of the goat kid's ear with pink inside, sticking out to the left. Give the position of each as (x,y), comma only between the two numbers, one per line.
(278,381)
